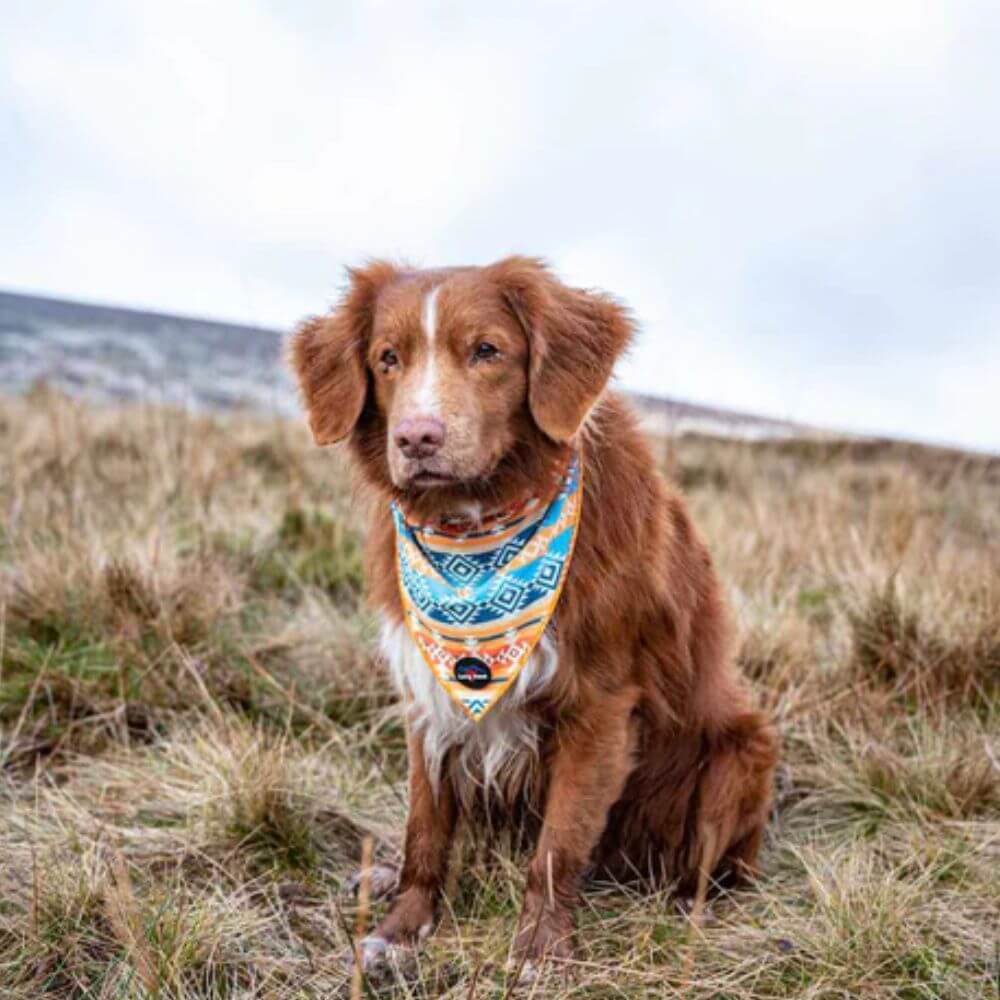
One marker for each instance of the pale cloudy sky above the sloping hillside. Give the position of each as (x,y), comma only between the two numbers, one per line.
(799,199)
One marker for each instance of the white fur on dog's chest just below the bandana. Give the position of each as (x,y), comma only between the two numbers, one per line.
(488,751)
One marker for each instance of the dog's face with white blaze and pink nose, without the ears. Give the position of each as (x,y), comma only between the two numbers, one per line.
(449,367)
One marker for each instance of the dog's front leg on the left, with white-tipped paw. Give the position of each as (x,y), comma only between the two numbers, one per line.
(430,828)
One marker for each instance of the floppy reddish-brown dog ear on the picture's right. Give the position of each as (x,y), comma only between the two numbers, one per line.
(574,338)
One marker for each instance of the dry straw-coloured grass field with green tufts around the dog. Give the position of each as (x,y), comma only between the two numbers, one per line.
(195,737)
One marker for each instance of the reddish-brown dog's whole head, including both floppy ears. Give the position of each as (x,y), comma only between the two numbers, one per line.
(441,377)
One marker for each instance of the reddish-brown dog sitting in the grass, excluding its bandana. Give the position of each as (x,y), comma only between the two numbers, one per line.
(627,746)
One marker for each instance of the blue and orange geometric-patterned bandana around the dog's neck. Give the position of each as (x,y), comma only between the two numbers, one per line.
(476,602)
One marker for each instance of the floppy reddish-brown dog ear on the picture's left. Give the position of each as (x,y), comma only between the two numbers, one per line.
(327,355)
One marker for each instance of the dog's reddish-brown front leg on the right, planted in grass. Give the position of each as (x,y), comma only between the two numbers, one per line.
(593,758)
